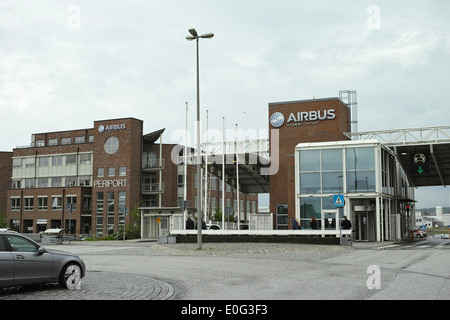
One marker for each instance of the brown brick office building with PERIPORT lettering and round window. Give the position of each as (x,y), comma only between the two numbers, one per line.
(84,181)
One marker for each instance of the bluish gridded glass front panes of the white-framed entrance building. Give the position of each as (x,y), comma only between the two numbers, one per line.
(327,171)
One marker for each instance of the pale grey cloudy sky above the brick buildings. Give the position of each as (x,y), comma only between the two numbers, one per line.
(64,64)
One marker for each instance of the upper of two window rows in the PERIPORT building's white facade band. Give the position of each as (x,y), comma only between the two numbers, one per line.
(52,161)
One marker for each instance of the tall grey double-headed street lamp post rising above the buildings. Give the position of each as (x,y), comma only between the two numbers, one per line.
(194,36)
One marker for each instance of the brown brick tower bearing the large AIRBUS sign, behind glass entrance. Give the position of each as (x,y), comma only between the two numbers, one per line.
(317,120)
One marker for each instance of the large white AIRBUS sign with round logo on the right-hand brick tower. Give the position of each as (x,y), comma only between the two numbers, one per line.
(277,119)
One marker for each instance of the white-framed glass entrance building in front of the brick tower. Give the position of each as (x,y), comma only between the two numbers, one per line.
(368,176)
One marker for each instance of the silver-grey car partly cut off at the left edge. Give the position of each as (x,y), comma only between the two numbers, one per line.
(23,262)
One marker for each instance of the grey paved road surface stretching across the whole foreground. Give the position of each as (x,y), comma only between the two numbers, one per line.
(149,271)
